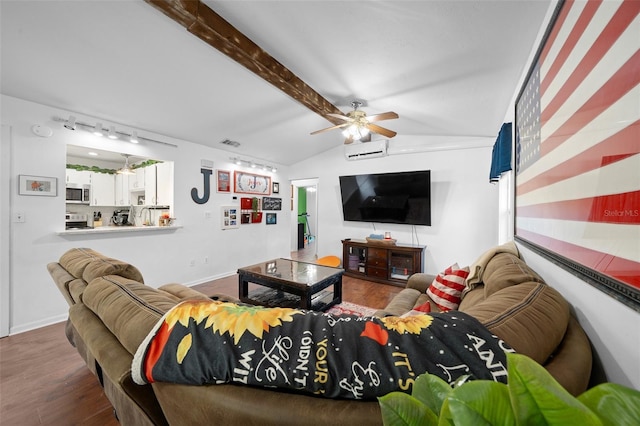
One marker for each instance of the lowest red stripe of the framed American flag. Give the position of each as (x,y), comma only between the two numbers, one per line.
(621,269)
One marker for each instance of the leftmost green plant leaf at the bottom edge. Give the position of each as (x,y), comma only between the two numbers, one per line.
(401,409)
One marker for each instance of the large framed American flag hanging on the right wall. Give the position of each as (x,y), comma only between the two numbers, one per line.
(577,157)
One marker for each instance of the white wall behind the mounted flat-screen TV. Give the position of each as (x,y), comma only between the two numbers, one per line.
(464,205)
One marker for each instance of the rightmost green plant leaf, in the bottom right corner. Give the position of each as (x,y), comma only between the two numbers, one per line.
(614,404)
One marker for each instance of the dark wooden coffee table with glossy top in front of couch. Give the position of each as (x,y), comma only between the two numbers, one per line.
(290,283)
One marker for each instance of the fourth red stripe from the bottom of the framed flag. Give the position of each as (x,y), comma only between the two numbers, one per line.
(625,79)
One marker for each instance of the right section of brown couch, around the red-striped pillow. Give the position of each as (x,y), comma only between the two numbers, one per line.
(514,302)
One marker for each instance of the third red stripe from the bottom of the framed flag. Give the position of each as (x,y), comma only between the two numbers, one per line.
(615,148)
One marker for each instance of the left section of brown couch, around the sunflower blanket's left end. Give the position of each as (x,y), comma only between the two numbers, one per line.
(111,312)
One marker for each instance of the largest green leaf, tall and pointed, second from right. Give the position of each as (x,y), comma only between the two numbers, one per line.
(538,399)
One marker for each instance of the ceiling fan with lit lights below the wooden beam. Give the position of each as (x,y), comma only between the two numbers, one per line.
(357,125)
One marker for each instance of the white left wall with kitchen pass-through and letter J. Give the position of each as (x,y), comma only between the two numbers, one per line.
(162,257)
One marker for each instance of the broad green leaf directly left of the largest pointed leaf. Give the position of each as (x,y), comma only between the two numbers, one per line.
(481,402)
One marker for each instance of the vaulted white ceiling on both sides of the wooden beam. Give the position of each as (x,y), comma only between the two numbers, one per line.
(448,68)
